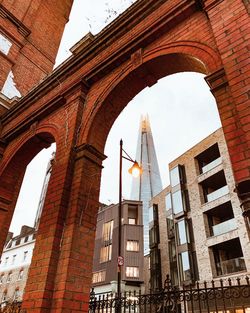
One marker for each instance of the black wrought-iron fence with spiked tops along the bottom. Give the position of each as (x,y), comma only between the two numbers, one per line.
(224,296)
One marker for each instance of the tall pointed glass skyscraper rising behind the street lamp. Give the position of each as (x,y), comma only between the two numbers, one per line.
(149,183)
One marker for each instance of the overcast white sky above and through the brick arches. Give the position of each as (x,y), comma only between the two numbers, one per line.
(181,109)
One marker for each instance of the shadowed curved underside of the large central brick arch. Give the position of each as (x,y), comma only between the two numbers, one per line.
(121,91)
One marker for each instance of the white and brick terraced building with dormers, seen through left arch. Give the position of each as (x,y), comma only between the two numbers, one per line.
(15,262)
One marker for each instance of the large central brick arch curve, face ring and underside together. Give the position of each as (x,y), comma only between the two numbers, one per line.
(143,71)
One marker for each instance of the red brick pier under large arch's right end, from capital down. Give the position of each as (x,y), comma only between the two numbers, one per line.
(237,142)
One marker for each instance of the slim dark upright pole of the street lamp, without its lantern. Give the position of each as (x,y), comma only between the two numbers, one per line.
(119,222)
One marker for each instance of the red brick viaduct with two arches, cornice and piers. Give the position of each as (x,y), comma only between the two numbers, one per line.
(76,105)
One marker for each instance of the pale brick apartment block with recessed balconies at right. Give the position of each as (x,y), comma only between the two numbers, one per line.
(197,230)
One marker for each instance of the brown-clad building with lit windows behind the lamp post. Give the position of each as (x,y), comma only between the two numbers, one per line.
(106,248)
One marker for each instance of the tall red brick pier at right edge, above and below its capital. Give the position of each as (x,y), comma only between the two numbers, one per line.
(230,21)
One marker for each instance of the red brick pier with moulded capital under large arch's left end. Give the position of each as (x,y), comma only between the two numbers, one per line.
(74,271)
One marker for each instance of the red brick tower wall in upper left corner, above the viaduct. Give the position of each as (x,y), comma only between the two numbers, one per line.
(34,29)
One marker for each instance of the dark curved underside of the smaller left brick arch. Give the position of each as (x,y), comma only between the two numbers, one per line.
(12,174)
